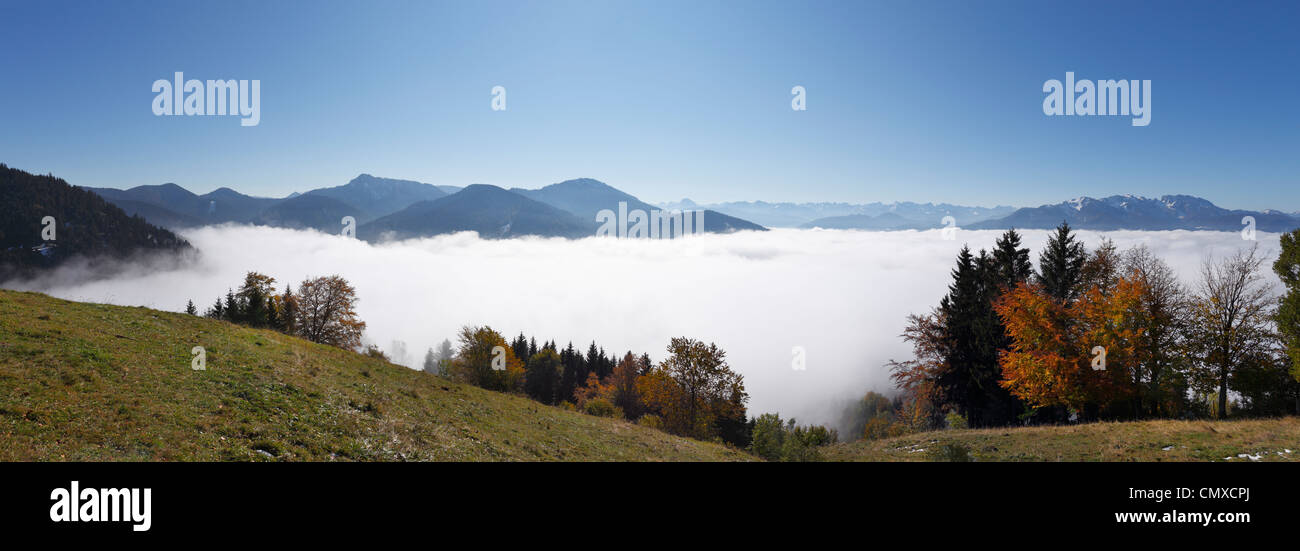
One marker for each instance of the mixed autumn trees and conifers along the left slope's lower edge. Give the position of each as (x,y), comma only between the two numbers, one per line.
(692,393)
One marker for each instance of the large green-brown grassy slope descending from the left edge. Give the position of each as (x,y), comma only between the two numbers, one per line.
(99,383)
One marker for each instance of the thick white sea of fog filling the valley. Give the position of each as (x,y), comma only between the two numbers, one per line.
(840,296)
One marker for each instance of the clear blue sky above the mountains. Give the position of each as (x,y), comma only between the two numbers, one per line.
(907,101)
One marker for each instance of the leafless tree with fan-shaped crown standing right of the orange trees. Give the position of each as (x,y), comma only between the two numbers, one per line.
(1232,320)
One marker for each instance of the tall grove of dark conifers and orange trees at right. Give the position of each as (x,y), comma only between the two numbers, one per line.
(1100,335)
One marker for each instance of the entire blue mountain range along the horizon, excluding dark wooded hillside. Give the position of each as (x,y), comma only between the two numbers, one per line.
(401,209)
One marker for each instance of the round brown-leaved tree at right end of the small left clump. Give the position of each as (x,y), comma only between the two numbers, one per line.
(327,313)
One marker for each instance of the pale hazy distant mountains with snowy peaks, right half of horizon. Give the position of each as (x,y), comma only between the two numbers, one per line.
(1117,212)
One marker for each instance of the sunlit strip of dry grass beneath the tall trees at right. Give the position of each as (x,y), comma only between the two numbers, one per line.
(1142,441)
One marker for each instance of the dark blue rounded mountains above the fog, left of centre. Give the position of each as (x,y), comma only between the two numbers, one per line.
(388,209)
